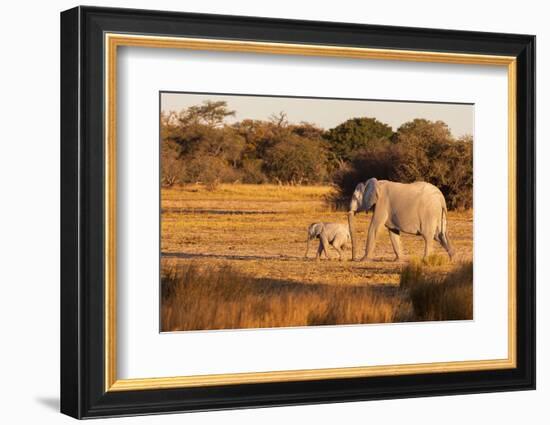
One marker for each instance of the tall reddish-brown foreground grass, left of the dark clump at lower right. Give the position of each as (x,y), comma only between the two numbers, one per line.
(198,298)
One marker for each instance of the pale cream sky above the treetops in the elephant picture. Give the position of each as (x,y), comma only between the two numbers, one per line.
(328,113)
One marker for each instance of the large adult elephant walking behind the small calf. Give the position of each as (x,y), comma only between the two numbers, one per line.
(417,208)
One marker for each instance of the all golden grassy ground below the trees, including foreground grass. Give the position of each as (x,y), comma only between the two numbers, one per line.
(233,257)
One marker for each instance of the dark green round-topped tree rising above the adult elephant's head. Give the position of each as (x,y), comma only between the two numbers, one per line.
(354,135)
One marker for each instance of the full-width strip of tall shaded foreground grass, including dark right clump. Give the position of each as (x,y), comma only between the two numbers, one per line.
(195,297)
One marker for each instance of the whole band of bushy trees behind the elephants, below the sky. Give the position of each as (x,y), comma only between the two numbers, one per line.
(198,145)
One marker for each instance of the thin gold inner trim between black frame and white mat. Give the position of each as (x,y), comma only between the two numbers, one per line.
(113,41)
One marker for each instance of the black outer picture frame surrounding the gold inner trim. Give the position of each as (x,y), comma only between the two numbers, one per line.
(83,392)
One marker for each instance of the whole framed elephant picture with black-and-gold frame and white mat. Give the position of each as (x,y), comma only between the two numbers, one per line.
(261,212)
